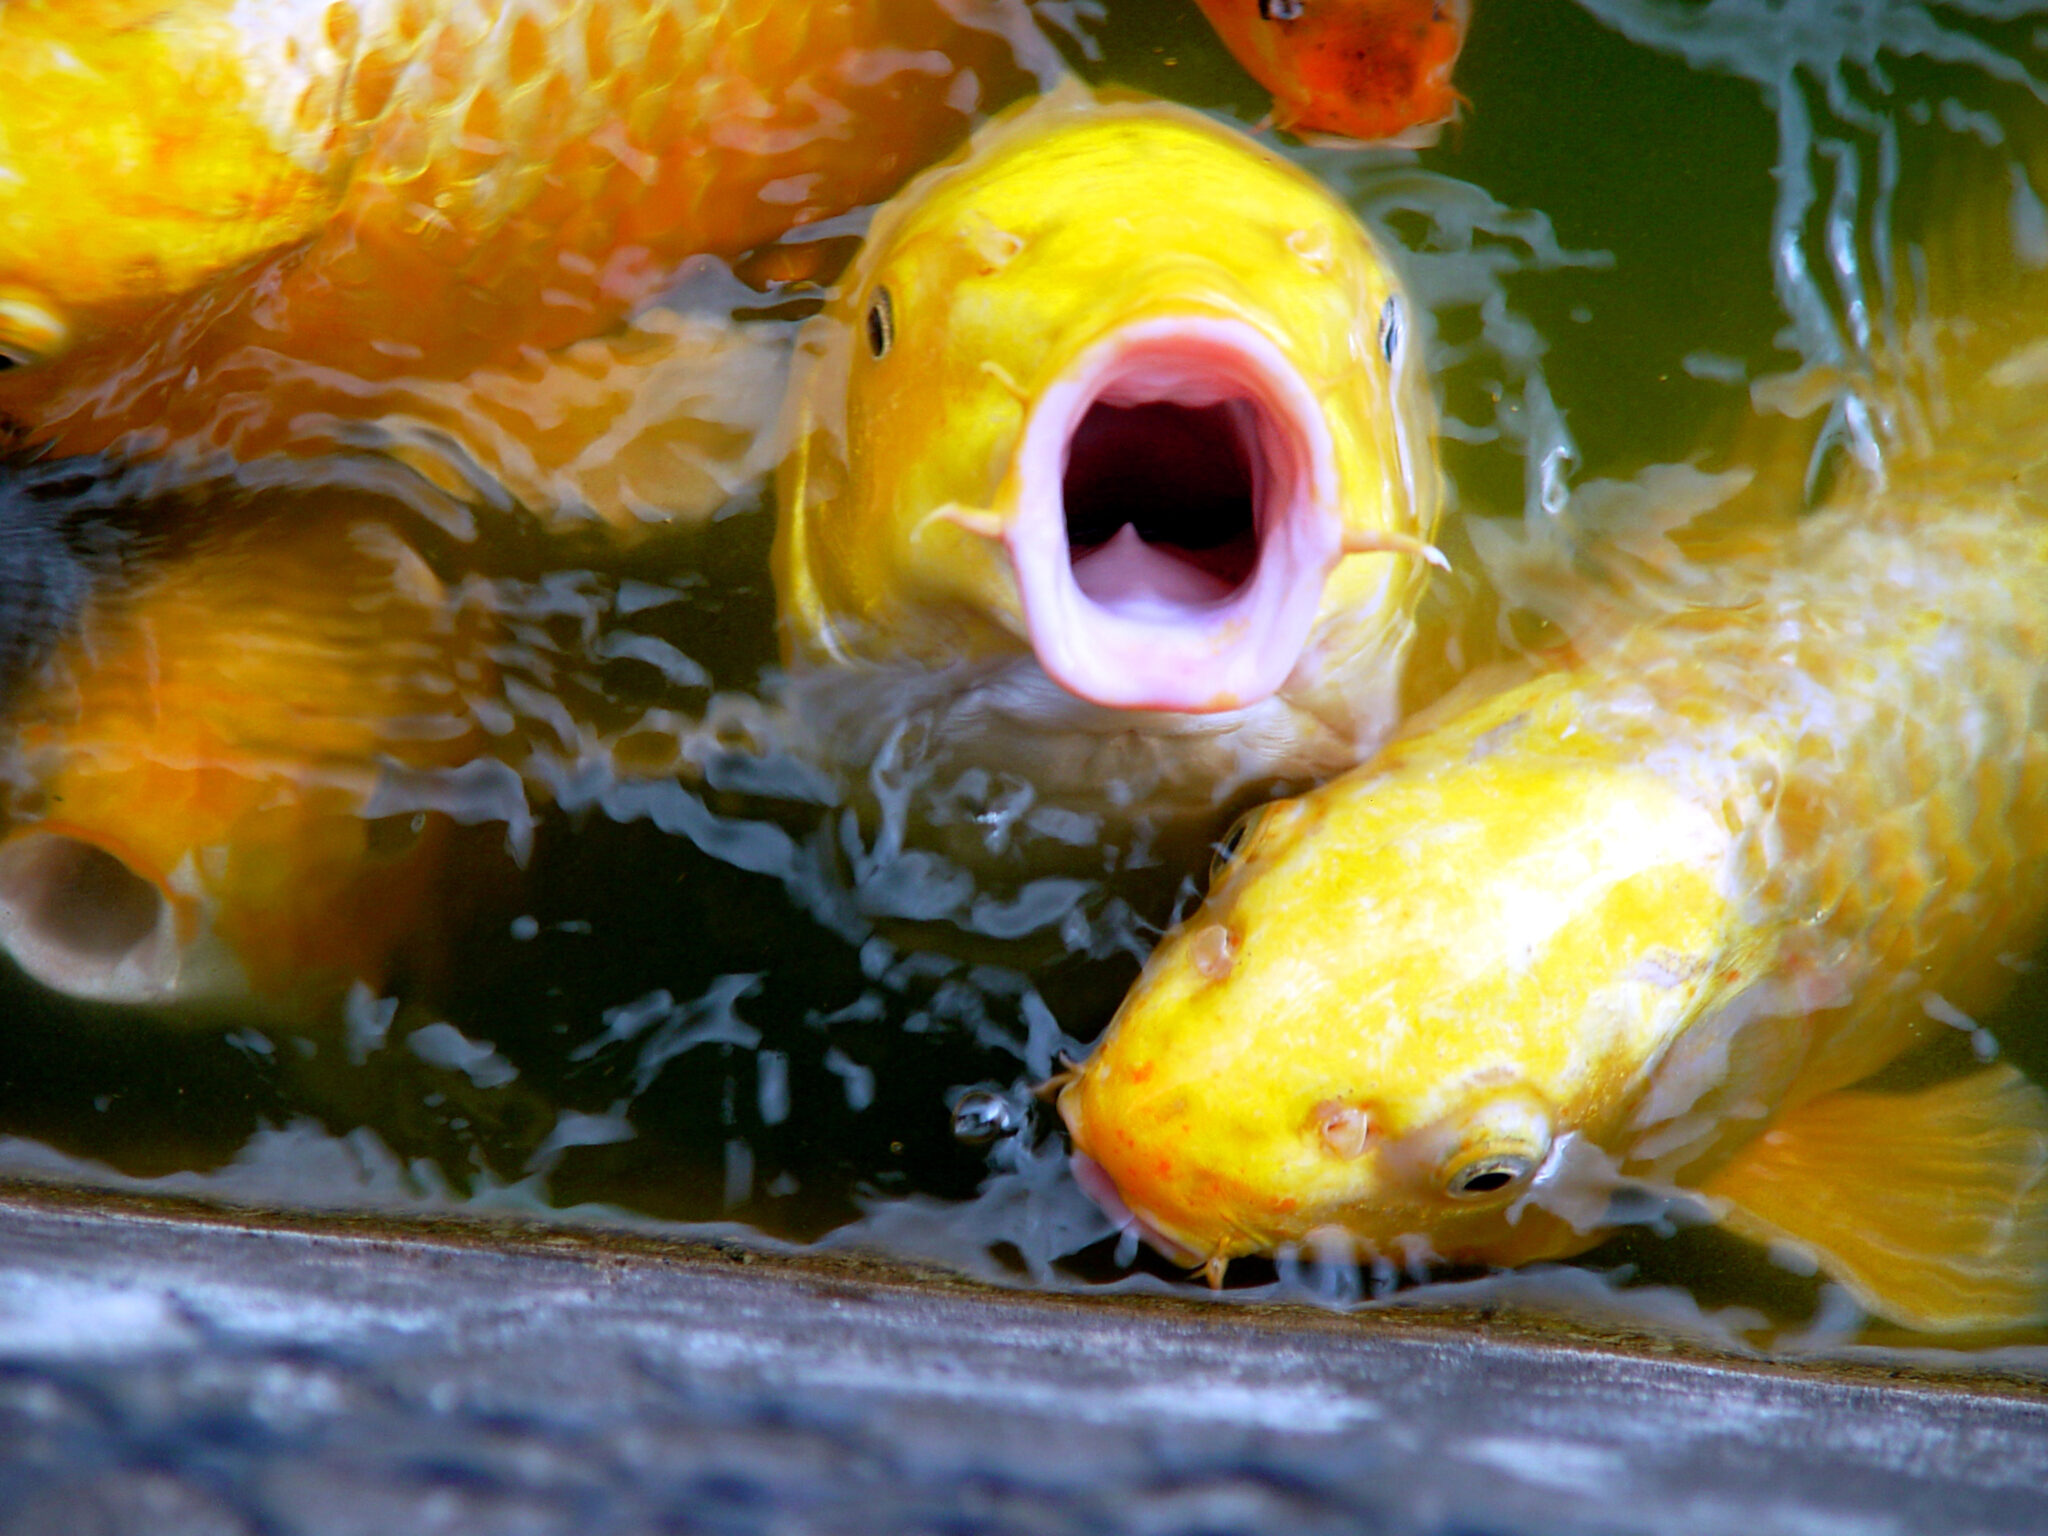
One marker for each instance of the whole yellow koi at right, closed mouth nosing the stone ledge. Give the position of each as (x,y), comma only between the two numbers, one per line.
(1646,923)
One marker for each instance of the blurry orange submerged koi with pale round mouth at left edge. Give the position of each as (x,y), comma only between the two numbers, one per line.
(198,806)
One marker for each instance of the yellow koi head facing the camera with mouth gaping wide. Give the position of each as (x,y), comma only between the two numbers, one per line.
(1125,392)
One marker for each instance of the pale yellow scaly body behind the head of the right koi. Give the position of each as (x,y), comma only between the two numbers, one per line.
(1822,718)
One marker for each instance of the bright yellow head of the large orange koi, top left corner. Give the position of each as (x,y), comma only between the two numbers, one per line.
(142,153)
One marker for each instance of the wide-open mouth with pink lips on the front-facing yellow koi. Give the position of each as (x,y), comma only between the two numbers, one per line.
(1177,519)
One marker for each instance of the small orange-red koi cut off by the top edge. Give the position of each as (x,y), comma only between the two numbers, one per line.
(1349,69)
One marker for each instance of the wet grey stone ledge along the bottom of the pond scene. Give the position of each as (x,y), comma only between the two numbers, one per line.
(187,1373)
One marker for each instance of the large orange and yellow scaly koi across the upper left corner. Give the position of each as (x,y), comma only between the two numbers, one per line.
(224,222)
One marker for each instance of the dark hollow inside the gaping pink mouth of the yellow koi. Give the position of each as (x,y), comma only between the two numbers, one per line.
(1179,476)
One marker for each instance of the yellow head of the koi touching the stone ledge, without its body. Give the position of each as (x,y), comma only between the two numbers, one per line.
(1406,1005)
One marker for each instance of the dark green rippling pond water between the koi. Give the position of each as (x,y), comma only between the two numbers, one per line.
(730,992)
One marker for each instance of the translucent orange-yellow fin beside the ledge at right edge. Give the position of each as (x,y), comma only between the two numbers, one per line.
(1930,1207)
